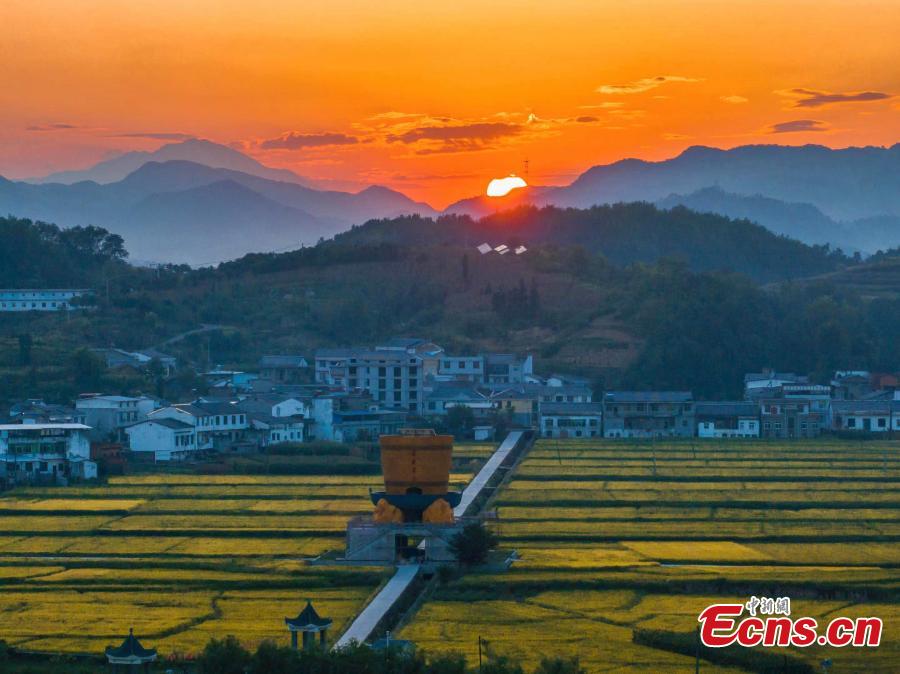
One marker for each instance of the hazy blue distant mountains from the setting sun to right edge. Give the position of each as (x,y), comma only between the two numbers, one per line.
(849,198)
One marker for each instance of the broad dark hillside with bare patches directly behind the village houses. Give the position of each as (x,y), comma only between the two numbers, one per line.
(651,324)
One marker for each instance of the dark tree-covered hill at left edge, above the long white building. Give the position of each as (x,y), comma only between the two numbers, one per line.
(41,255)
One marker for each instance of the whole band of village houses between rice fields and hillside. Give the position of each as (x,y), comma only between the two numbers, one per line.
(358,394)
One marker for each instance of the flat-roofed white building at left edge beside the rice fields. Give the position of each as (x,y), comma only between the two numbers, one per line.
(45,451)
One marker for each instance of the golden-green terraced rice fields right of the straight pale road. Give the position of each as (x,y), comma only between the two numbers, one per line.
(614,536)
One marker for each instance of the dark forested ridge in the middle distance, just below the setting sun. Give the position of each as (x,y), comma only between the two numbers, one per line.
(623,233)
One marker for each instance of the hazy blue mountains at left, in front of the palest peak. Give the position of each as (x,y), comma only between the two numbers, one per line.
(185,212)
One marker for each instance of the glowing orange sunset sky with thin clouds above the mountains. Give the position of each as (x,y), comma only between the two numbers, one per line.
(435,98)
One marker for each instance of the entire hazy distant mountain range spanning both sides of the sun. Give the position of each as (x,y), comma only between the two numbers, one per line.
(197,201)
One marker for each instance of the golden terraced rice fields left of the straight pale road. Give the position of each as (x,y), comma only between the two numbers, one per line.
(180,558)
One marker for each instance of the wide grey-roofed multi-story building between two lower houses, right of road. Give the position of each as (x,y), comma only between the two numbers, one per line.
(647,414)
